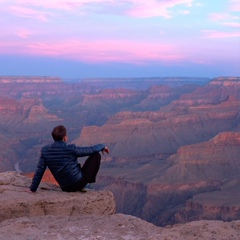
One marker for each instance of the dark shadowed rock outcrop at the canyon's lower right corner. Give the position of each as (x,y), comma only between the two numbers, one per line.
(217,205)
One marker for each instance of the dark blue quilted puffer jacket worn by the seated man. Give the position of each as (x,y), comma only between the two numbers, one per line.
(61,159)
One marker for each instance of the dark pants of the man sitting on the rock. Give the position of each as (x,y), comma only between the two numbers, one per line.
(89,170)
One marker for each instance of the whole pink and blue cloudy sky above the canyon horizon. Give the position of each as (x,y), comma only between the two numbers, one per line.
(120,38)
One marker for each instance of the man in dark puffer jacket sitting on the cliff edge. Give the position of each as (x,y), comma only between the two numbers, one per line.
(61,159)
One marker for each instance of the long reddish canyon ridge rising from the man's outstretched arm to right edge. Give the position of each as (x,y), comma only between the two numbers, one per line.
(193,118)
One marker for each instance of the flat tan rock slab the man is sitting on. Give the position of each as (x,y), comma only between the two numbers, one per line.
(16,202)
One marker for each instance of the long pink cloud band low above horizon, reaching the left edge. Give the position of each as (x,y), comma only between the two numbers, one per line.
(98,51)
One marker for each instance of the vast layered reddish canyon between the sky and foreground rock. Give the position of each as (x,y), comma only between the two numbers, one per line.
(175,142)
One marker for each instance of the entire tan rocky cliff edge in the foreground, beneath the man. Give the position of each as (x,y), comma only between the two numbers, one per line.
(52,214)
